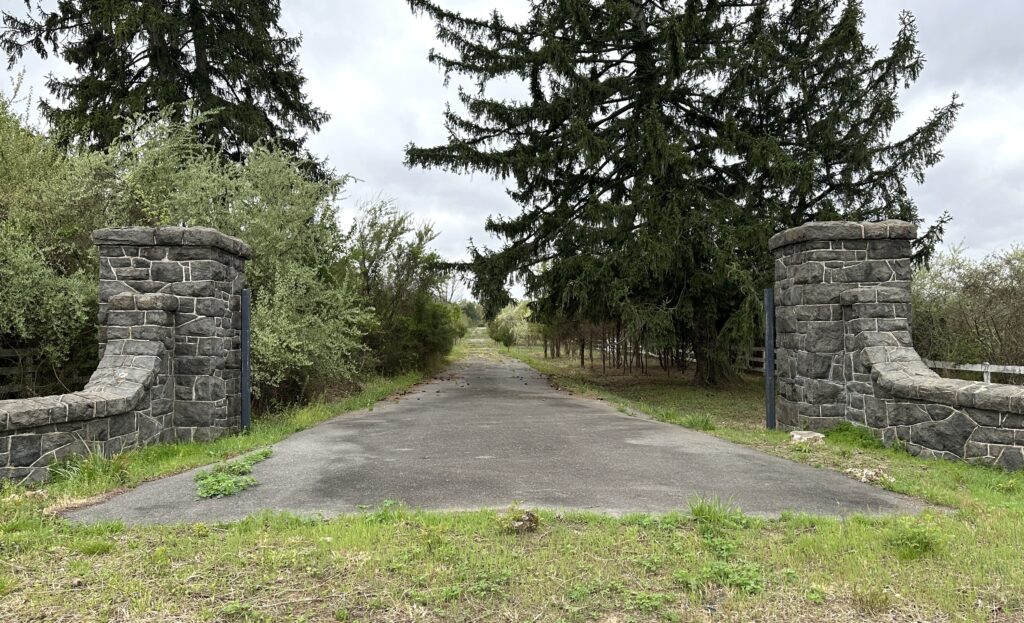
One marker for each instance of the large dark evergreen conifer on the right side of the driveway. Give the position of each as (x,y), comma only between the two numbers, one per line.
(658,147)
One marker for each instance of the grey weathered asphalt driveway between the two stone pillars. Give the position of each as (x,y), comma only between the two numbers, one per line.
(490,434)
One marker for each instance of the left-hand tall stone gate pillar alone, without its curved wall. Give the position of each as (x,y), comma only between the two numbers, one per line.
(204,272)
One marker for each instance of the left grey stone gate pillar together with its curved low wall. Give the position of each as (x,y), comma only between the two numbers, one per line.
(170,354)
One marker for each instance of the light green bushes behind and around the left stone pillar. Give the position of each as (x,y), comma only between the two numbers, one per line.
(328,305)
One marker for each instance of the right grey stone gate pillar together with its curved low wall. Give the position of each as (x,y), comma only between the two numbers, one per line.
(845,352)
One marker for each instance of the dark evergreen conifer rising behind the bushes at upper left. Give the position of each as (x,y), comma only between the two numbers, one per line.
(230,58)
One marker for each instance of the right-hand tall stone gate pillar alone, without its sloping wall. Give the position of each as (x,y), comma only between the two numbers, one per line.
(819,268)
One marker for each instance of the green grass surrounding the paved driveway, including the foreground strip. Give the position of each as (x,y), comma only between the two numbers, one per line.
(707,563)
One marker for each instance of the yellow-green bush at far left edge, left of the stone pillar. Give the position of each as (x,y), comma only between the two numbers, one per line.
(49,205)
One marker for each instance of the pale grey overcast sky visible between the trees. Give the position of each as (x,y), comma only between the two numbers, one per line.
(366,65)
